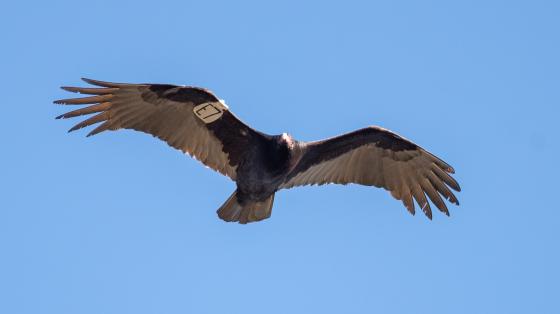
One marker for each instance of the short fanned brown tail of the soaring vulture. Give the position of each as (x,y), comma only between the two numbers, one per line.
(250,211)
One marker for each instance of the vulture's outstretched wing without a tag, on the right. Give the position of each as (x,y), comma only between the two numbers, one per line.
(378,157)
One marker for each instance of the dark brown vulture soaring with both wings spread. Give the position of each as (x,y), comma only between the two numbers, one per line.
(195,121)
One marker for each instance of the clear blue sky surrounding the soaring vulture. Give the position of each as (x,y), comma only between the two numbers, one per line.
(120,223)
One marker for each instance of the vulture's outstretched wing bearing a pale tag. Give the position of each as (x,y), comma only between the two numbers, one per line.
(189,119)
